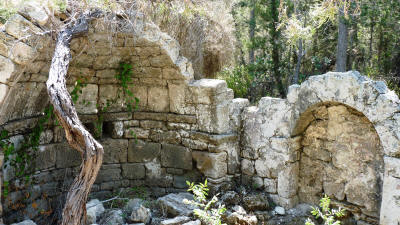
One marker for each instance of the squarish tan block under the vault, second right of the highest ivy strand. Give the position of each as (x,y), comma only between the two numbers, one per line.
(158,99)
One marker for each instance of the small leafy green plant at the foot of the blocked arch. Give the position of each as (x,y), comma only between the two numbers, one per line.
(328,215)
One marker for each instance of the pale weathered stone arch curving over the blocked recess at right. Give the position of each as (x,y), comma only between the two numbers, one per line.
(360,96)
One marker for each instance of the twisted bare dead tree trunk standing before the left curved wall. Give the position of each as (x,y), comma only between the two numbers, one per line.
(78,137)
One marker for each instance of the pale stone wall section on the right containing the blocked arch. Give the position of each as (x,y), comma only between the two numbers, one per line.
(335,134)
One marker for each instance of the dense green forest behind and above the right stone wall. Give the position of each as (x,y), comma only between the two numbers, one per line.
(282,42)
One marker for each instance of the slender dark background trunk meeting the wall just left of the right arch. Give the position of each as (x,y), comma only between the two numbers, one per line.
(274,41)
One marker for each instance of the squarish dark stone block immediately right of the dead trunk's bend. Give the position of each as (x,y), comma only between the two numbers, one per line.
(115,150)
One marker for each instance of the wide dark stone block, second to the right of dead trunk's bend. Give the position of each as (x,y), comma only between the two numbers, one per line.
(140,151)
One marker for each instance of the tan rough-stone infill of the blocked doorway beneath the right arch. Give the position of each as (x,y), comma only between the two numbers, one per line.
(340,156)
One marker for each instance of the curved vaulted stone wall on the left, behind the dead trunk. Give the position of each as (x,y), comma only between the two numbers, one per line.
(179,132)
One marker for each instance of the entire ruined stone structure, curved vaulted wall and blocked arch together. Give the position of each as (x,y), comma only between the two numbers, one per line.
(335,134)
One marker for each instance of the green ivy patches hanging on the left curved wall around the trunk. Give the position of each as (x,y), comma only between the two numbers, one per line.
(21,157)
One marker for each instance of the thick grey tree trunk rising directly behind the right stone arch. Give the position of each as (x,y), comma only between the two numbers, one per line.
(341,54)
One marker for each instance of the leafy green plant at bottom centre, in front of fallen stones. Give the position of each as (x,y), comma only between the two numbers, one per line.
(207,211)
